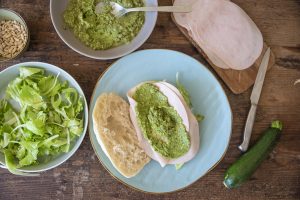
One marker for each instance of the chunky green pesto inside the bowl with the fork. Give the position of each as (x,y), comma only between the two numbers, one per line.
(103,31)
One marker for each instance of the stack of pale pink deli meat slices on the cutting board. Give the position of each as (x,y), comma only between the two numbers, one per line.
(225,32)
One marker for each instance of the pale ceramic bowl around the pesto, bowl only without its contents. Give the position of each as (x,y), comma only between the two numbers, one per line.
(57,8)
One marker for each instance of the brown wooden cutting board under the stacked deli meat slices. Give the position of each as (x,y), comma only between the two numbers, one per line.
(237,80)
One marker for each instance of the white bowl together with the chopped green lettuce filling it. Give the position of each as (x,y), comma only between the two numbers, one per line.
(43,117)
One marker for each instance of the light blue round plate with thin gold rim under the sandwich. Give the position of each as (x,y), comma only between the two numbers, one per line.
(208,98)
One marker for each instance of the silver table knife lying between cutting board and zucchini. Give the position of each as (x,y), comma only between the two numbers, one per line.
(256,91)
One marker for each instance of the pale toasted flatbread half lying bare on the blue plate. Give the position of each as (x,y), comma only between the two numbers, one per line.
(116,135)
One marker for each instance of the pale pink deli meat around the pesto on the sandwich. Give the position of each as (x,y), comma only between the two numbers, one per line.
(193,128)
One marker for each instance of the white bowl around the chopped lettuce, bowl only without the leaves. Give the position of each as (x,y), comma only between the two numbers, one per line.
(11,73)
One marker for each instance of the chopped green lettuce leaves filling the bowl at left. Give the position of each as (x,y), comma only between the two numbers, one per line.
(49,119)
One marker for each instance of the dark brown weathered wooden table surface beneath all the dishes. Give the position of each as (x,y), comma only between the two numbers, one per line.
(83,177)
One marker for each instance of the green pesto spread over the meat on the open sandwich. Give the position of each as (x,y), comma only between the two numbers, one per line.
(160,123)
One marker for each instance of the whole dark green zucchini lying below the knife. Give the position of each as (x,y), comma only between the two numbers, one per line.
(245,166)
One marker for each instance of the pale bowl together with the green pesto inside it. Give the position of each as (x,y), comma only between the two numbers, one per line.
(102,35)
